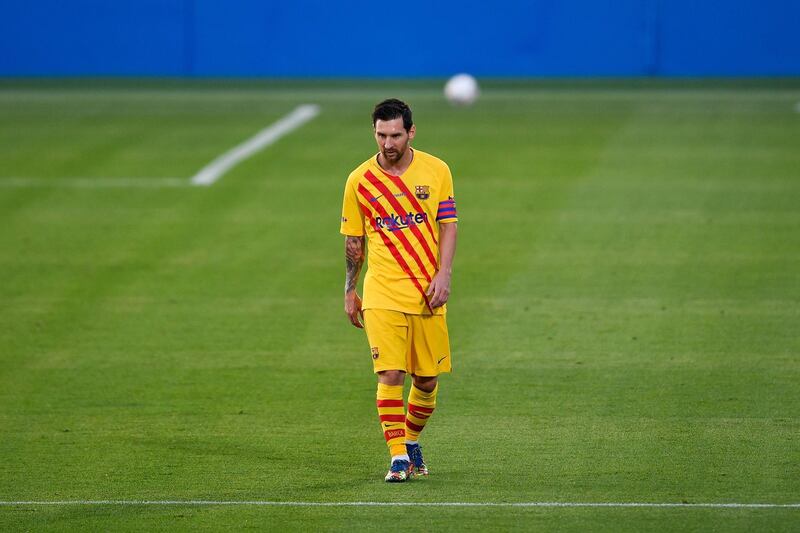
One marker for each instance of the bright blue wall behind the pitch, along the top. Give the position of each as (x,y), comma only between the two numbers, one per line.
(314,38)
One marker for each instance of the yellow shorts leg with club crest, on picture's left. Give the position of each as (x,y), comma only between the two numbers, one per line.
(387,333)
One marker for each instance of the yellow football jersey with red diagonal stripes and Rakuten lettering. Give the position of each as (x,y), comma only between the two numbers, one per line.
(400,215)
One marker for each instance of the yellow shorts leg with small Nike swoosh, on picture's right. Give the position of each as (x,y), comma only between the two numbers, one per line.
(430,345)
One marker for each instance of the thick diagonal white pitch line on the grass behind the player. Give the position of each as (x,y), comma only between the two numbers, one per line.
(214,170)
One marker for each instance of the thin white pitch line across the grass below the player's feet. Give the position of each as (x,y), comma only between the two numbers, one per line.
(406,504)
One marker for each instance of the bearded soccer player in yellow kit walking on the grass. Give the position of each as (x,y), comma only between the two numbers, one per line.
(400,202)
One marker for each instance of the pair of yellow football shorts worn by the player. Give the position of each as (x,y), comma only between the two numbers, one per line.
(416,344)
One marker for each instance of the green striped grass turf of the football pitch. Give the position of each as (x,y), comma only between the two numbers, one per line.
(624,311)
